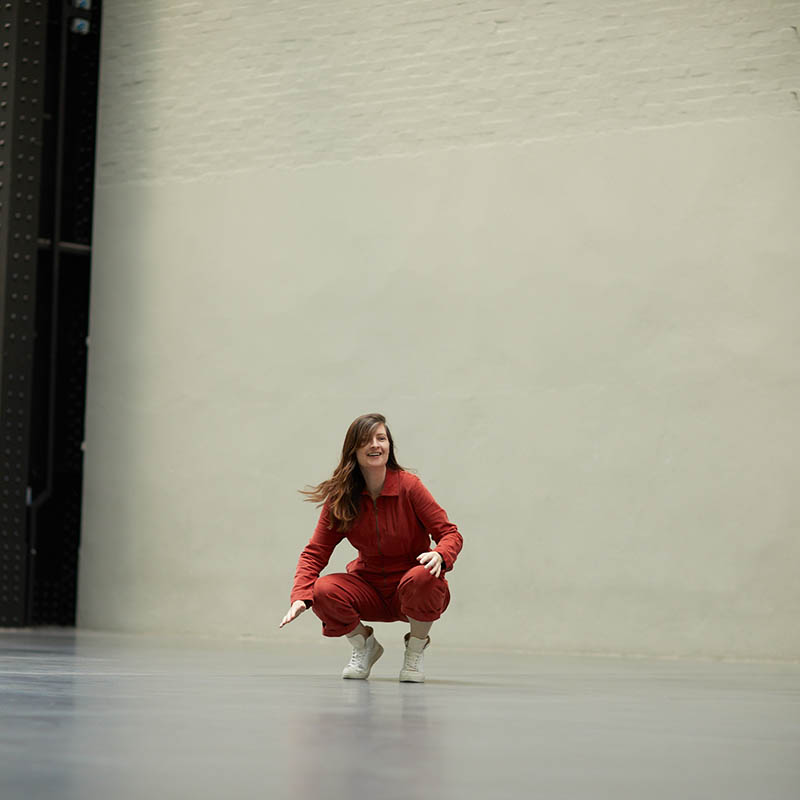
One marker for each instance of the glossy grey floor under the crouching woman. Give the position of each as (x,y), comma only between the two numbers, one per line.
(86,715)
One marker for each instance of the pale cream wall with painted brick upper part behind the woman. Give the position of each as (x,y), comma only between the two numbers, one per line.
(555,243)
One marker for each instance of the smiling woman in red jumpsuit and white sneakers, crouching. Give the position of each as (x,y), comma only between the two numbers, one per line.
(390,518)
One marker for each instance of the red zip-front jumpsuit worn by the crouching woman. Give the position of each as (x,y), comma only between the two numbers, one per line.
(385,583)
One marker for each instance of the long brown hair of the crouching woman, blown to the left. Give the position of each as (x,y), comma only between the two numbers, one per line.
(342,491)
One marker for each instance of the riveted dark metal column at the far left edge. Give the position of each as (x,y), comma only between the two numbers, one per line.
(21,95)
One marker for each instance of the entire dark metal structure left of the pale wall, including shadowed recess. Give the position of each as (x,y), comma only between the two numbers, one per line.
(48,113)
